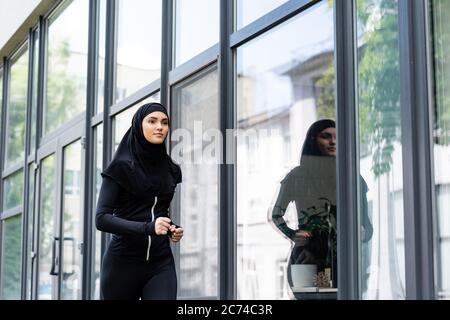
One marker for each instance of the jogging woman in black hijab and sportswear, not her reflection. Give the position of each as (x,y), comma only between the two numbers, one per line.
(137,188)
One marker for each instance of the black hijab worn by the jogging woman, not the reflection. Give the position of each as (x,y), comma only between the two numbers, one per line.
(140,166)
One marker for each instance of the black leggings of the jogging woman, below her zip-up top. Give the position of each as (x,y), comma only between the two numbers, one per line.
(126,279)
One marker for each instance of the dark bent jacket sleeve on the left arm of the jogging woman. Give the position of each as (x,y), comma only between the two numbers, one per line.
(106,221)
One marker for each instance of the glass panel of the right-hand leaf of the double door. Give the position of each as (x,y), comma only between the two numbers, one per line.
(73,228)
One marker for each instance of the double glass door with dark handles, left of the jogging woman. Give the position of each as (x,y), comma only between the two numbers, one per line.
(59,243)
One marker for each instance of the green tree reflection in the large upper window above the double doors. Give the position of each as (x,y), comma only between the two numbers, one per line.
(61,99)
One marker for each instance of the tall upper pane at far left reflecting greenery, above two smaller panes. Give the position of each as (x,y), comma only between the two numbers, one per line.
(16,110)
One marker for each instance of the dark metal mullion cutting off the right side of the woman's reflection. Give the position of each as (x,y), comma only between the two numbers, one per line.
(347,157)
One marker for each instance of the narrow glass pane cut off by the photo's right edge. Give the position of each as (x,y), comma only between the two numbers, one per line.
(441,138)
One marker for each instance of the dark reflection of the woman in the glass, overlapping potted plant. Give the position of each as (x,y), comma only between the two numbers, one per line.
(312,186)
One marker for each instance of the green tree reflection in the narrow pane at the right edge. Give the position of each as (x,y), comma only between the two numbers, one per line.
(441,37)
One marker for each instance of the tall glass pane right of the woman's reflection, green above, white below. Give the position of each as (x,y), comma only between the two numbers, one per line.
(381,176)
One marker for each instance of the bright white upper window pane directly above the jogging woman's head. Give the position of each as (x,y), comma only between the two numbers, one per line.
(138,46)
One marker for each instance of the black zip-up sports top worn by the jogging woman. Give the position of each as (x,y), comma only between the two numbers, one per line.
(131,219)
